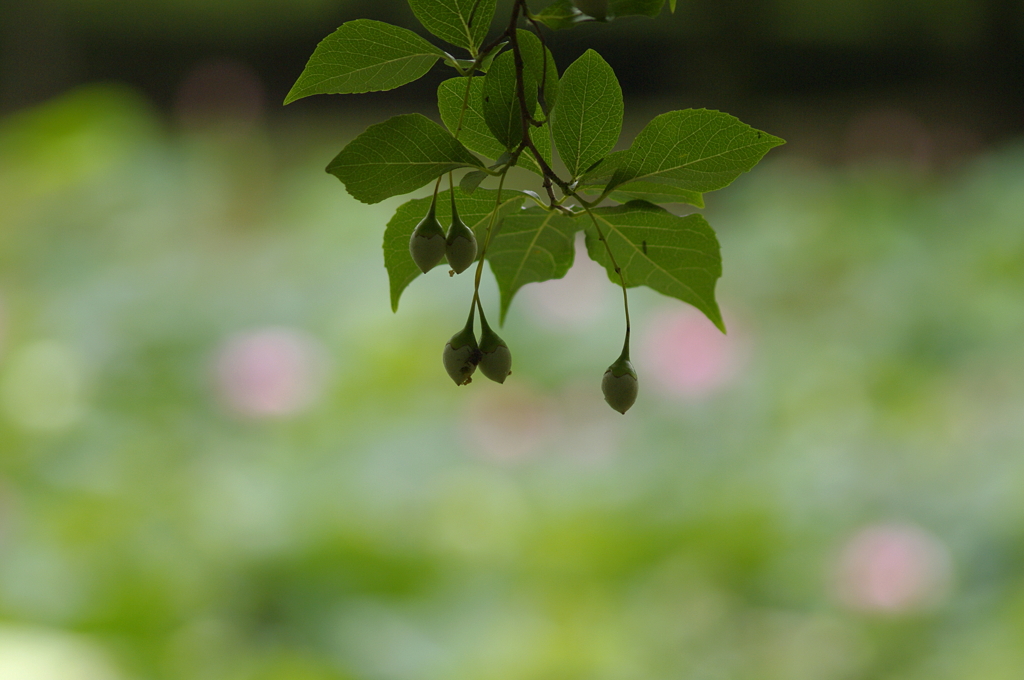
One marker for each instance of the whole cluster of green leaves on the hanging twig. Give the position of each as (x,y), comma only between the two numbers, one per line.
(509,105)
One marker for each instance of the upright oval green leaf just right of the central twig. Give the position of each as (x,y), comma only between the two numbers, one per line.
(588,118)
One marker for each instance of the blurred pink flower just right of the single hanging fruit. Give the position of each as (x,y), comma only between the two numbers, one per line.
(686,355)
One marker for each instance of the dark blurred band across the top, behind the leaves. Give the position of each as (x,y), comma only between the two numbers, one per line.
(792,65)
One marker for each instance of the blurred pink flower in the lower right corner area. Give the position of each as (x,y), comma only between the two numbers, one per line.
(892,569)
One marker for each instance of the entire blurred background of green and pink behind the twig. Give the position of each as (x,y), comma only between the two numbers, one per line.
(224,458)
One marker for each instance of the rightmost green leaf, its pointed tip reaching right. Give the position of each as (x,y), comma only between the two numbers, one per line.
(695,150)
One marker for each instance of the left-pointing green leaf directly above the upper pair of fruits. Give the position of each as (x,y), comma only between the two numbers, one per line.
(399,156)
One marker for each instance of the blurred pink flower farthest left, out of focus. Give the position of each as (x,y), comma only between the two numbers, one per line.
(272,372)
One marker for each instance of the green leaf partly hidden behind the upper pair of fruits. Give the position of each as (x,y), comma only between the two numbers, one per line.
(475,210)
